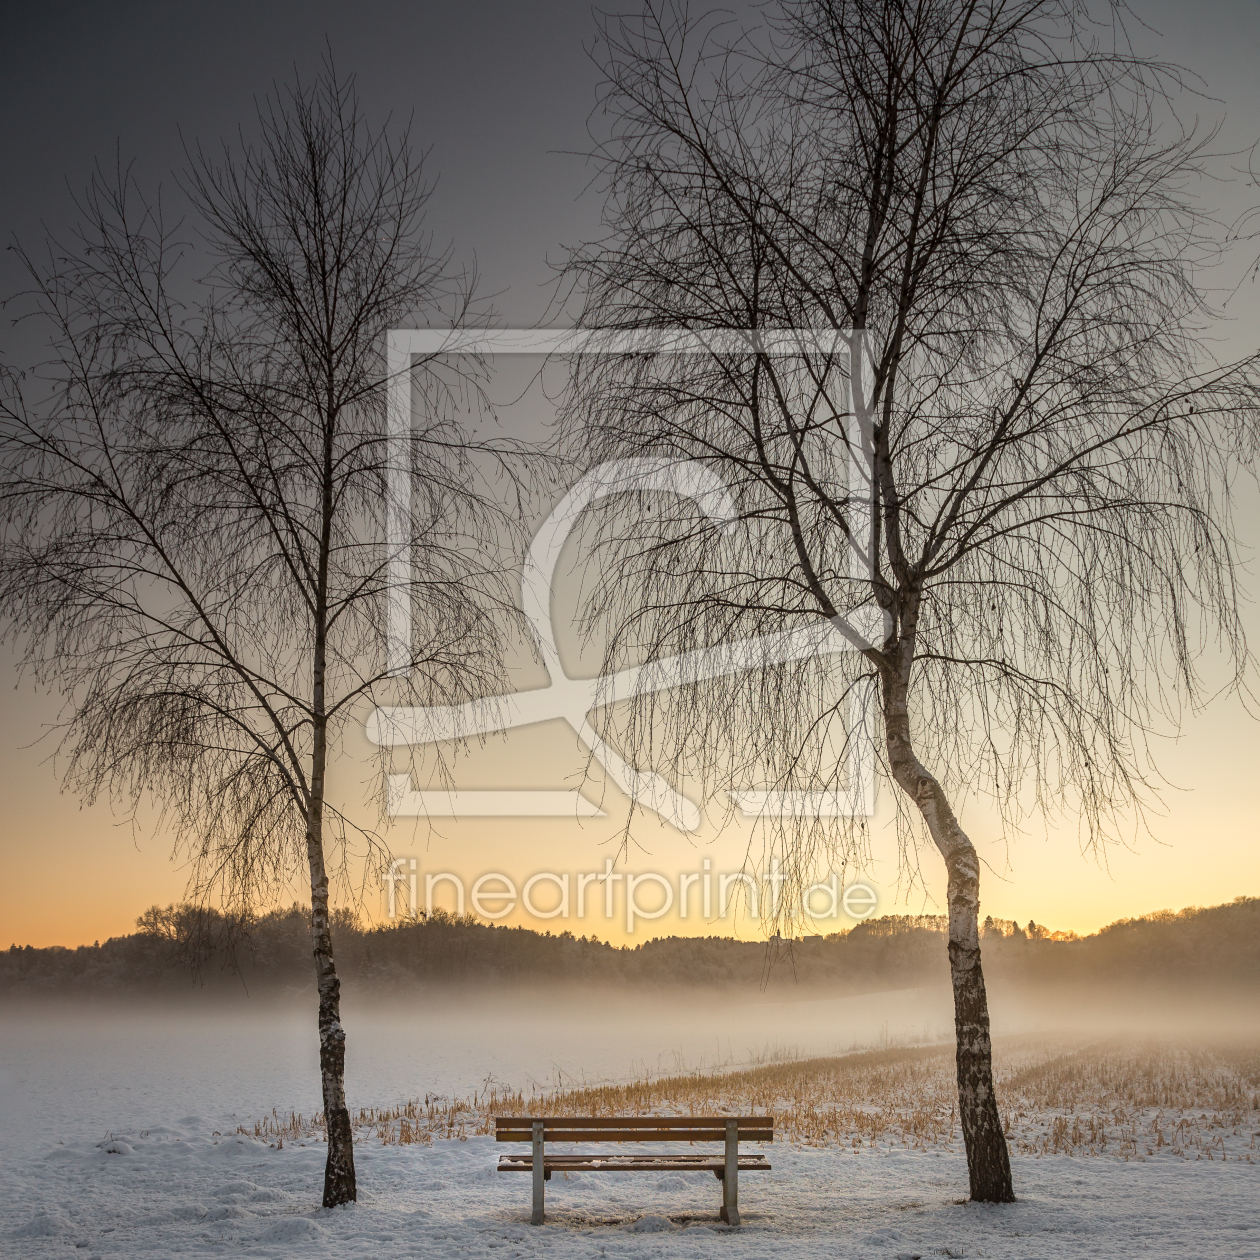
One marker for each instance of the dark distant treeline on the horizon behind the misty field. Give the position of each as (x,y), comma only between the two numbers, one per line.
(183,946)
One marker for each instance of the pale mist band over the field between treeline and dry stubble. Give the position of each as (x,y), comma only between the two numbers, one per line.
(124,1060)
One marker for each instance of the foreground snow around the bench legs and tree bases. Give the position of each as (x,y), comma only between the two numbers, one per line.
(176,1193)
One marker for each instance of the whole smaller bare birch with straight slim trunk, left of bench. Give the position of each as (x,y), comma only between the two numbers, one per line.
(195,505)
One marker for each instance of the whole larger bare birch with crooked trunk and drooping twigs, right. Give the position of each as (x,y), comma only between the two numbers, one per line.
(1004,430)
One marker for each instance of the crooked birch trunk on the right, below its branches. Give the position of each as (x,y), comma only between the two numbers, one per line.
(988,1162)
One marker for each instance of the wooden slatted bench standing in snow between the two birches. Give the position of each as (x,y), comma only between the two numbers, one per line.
(726,1167)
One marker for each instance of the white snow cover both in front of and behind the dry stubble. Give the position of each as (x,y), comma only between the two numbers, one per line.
(117,1140)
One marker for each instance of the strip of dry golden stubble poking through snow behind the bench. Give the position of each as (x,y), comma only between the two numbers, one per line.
(1079,1099)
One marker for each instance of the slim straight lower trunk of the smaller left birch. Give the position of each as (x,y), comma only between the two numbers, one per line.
(340,1185)
